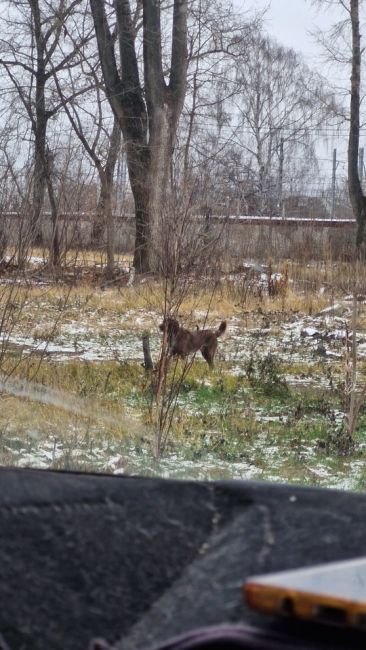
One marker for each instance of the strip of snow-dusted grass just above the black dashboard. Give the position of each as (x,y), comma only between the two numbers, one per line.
(119,458)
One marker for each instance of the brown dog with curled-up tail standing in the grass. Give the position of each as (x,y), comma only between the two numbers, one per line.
(182,342)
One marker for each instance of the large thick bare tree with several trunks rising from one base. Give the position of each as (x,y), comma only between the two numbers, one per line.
(148,111)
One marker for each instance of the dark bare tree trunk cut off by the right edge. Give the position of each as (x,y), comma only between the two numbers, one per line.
(357,197)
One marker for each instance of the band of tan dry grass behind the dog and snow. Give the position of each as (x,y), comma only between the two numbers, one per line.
(221,301)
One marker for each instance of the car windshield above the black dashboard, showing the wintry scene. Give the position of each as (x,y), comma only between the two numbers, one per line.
(182,242)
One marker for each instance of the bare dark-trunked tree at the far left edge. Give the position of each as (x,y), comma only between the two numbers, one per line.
(36,35)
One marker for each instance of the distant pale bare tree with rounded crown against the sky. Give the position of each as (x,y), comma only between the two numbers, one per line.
(280,102)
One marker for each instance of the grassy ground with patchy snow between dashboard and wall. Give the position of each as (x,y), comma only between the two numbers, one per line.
(76,395)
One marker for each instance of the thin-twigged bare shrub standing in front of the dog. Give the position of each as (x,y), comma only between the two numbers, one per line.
(189,257)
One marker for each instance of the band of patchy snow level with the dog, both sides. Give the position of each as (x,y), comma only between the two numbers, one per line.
(305,340)
